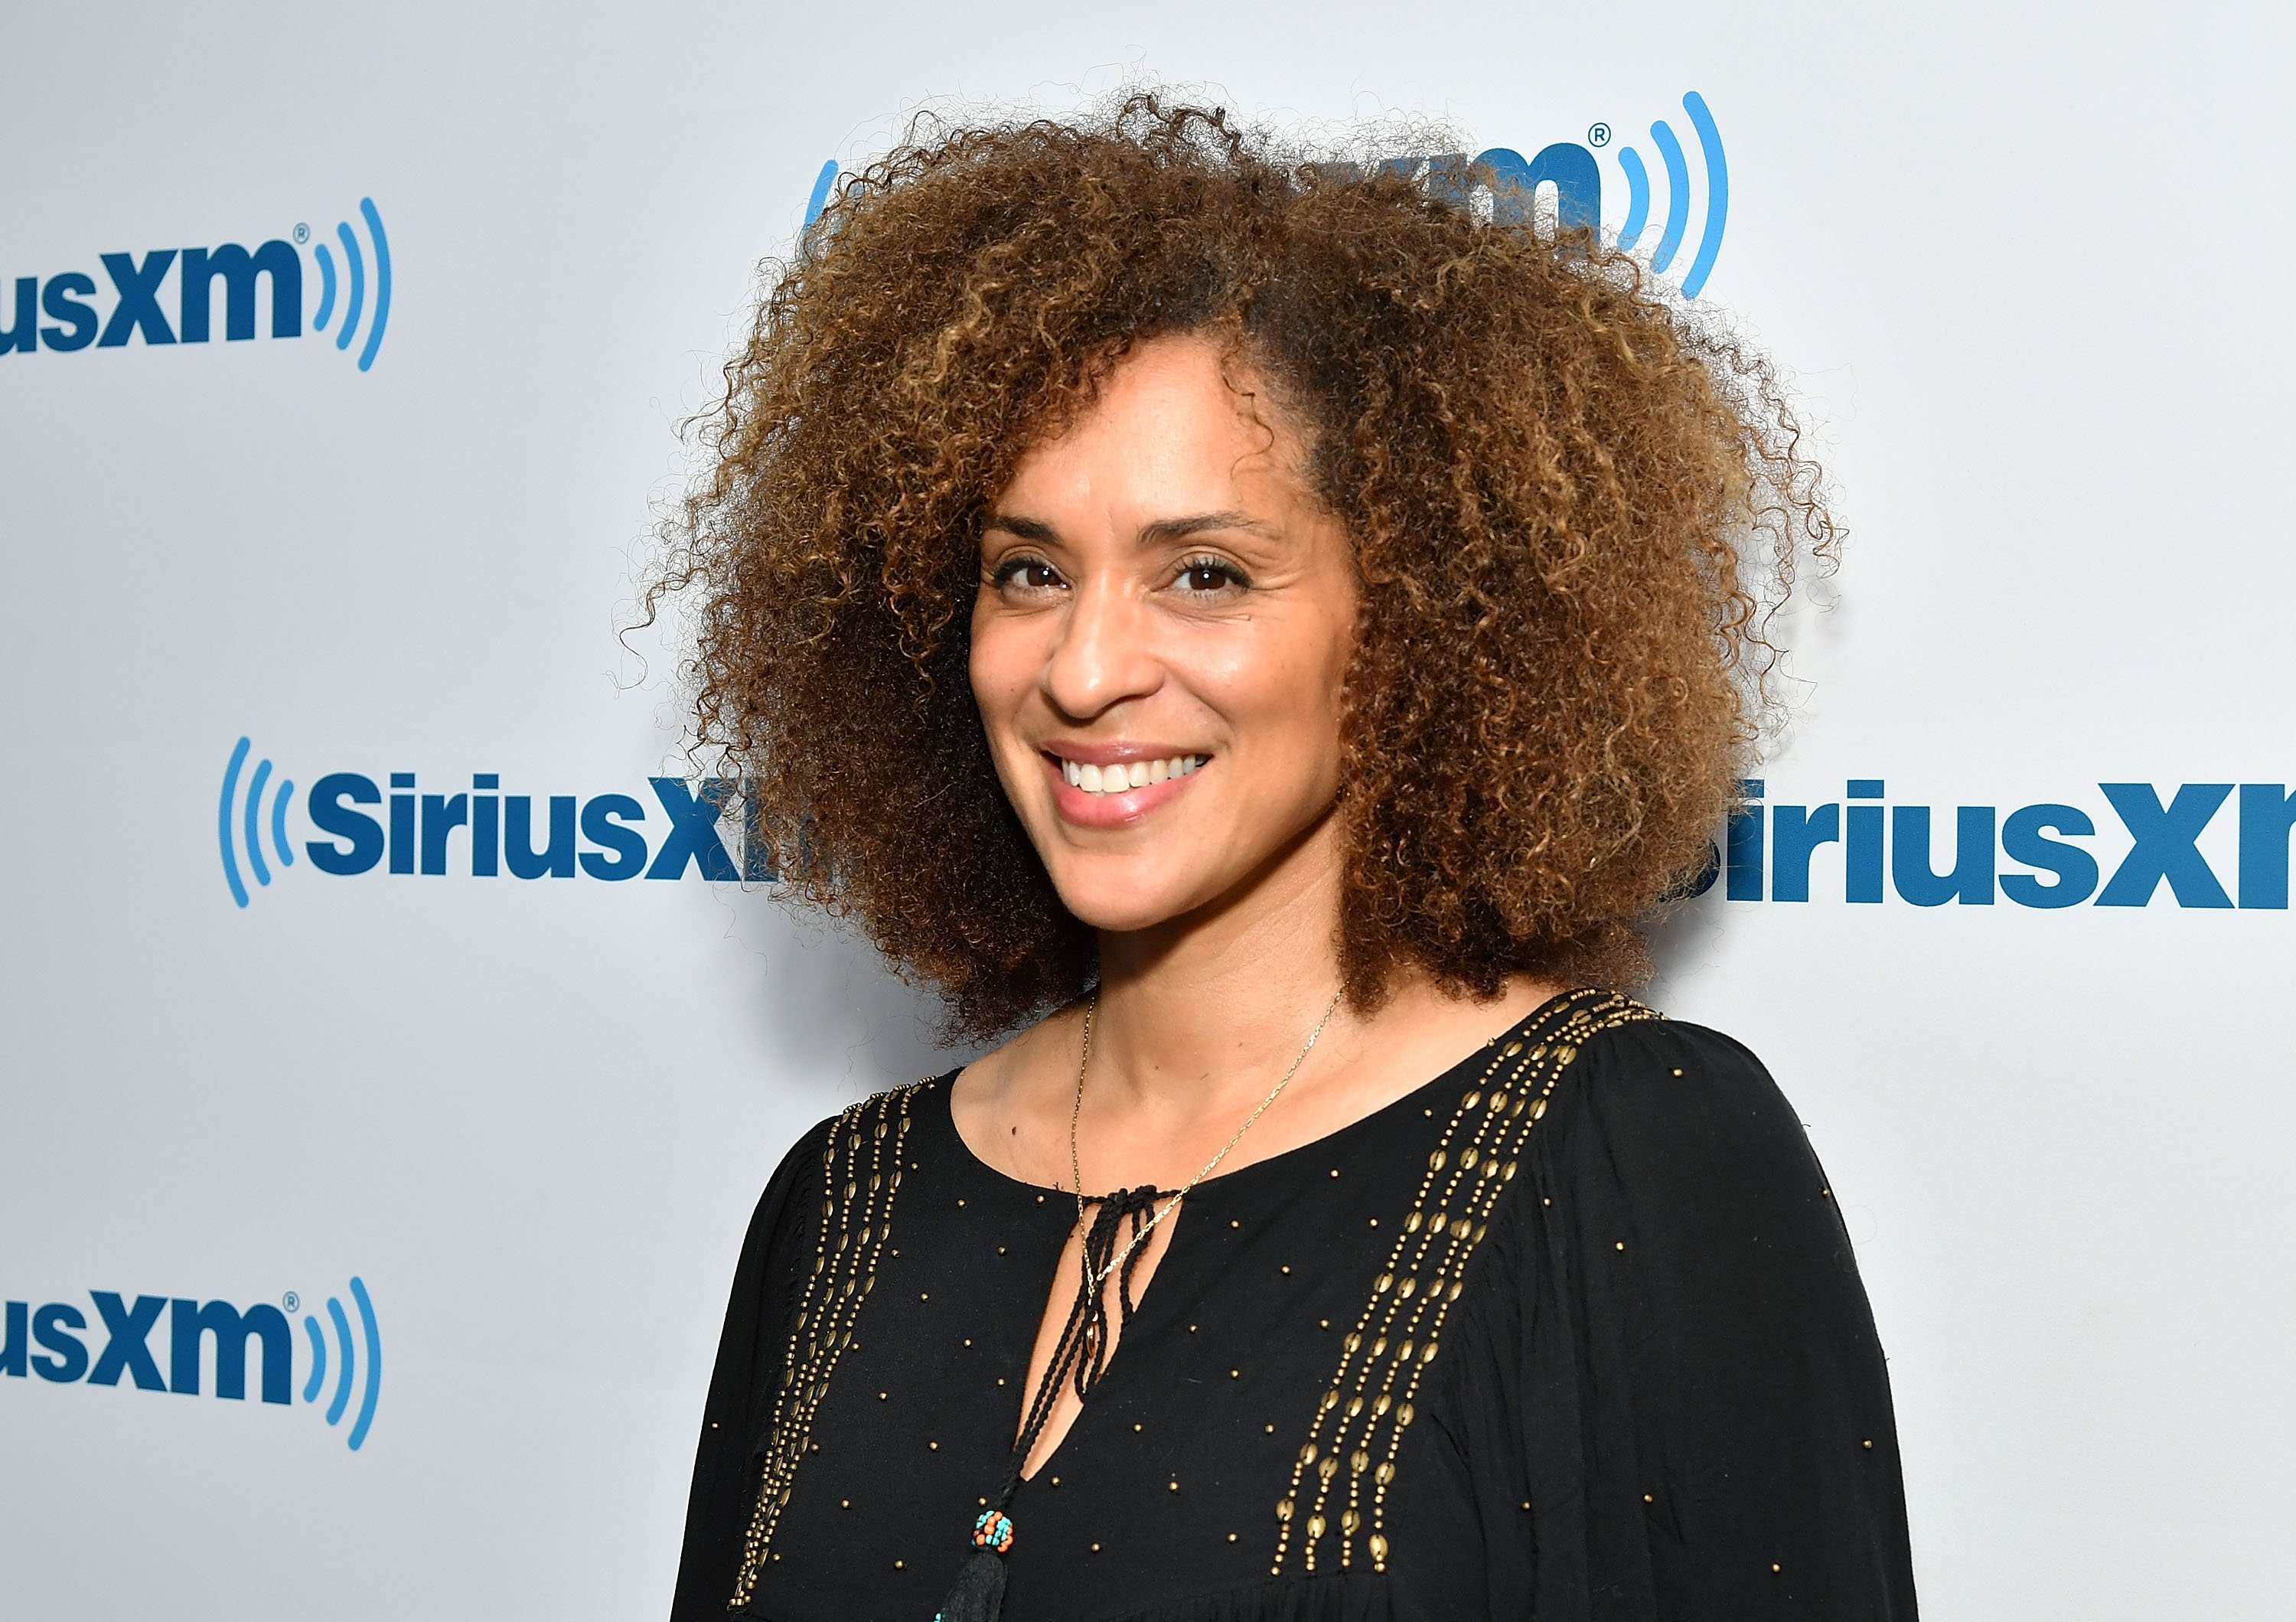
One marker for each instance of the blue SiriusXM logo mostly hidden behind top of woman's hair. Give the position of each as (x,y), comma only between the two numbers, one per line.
(1578,187)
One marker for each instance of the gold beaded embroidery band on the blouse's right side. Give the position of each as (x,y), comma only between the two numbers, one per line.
(1342,1476)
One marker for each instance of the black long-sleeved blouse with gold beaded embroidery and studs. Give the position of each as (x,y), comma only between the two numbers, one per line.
(1574,1331)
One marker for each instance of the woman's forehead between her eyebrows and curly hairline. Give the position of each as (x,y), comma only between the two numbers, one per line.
(1179,422)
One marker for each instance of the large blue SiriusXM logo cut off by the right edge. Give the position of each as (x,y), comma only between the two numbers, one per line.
(2033,856)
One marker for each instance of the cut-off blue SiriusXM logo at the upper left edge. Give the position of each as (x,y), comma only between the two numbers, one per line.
(139,295)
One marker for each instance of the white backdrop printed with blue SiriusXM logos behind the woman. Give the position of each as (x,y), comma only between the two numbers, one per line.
(398,1033)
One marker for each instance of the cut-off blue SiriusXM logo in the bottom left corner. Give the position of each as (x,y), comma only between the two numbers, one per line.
(49,1343)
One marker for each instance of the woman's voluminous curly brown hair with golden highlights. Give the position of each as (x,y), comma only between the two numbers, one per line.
(1572,507)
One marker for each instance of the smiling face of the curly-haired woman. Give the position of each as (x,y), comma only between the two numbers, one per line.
(1158,644)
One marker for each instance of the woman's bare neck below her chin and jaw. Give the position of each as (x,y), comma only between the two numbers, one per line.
(1216,1005)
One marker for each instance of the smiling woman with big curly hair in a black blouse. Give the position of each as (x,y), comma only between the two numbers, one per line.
(1264,635)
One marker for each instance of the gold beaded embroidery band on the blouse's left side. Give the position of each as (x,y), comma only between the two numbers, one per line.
(860,1180)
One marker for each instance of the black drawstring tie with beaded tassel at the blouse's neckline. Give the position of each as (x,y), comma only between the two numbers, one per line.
(1083,1352)
